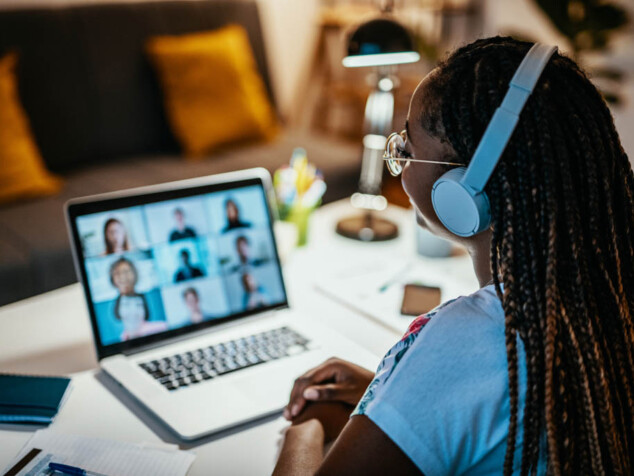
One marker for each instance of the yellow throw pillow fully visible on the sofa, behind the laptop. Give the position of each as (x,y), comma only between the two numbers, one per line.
(213,92)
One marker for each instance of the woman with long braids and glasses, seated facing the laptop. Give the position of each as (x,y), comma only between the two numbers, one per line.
(535,371)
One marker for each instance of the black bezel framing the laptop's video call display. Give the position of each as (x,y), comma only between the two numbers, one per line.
(154,194)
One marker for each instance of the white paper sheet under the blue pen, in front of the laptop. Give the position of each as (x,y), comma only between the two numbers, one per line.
(112,458)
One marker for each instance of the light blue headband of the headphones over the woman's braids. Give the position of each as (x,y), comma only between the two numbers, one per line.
(505,118)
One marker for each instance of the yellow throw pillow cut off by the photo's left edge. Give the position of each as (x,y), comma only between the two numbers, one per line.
(22,171)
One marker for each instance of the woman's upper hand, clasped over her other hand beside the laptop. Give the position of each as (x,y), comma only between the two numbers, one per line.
(334,380)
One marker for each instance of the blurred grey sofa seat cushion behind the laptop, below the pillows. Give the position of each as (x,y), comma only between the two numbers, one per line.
(35,252)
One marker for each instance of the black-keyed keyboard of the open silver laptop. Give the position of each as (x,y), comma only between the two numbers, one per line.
(190,368)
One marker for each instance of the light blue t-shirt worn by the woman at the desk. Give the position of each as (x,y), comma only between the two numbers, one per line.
(441,393)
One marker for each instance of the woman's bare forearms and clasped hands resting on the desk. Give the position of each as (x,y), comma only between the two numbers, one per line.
(360,447)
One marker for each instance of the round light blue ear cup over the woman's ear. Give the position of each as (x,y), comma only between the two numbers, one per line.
(463,211)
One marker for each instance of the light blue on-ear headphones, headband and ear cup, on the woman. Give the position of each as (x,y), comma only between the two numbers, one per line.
(458,195)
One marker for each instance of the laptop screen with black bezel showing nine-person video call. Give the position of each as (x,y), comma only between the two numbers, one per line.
(166,263)
